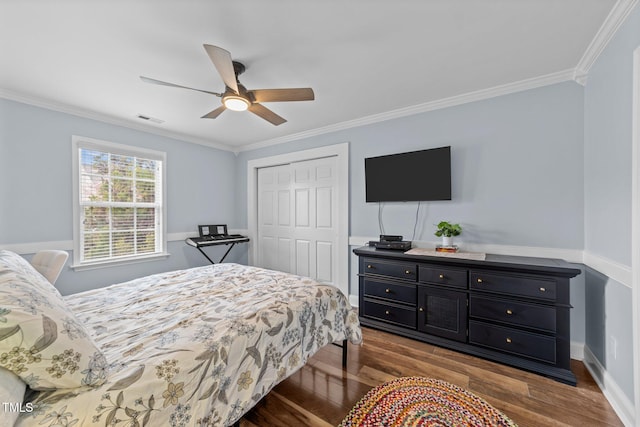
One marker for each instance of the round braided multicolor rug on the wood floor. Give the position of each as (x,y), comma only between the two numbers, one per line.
(417,401)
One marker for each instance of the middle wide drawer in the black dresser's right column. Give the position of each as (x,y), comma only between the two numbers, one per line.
(515,313)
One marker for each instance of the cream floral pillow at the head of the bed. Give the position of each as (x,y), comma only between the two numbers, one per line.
(41,340)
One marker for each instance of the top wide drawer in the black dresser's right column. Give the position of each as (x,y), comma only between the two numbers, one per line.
(525,286)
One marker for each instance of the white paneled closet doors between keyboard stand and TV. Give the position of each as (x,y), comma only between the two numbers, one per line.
(297,218)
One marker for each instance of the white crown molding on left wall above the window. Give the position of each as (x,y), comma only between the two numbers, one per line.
(93,115)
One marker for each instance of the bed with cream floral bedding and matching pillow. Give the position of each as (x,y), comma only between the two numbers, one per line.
(192,347)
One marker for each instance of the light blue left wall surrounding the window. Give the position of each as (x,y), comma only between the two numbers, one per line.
(36,179)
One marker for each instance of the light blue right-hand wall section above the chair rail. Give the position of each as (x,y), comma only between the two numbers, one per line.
(607,112)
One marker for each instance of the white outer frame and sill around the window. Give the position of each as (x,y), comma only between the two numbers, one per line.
(80,142)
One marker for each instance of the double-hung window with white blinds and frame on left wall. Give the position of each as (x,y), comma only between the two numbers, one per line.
(119,203)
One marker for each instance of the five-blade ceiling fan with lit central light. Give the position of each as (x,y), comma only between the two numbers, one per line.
(235,96)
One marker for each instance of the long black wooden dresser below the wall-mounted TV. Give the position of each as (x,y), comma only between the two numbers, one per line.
(509,309)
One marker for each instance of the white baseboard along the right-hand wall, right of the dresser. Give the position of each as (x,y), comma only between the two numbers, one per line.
(617,398)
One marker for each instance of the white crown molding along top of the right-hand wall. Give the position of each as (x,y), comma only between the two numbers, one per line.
(609,27)
